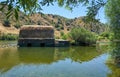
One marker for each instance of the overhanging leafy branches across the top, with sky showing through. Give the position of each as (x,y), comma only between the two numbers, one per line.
(31,6)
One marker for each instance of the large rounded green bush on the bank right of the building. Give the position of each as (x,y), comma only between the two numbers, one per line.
(82,36)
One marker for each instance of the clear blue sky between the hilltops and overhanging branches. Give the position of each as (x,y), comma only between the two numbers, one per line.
(77,12)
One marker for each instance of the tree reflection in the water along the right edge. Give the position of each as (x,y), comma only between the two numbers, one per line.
(115,59)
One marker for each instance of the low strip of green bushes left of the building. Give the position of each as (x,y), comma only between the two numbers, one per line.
(8,37)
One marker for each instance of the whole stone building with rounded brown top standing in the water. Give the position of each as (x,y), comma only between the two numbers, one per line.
(36,36)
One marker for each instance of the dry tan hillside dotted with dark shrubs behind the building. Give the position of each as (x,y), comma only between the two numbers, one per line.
(60,23)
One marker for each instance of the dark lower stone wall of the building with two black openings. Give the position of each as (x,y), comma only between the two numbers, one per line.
(36,42)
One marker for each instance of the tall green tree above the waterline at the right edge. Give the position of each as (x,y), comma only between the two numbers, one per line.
(113,13)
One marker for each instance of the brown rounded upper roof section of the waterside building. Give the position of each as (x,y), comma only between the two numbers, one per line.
(36,31)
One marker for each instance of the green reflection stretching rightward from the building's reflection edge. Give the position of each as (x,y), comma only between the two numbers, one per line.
(79,54)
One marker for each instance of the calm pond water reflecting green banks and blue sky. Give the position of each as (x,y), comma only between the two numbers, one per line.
(55,62)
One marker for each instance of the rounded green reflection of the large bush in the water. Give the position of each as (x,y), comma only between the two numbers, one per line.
(84,54)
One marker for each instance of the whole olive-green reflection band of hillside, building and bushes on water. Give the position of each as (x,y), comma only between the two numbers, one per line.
(10,57)
